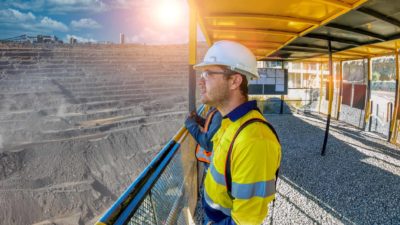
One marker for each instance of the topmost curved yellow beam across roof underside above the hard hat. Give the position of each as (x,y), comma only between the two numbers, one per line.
(240,16)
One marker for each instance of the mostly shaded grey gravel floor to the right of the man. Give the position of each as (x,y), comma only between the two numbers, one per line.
(347,184)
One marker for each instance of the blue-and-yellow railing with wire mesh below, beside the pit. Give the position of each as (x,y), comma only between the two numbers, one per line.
(160,195)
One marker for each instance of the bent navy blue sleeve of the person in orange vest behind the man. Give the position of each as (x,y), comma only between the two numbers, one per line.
(204,139)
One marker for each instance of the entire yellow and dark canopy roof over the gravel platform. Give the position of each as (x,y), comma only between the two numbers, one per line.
(300,29)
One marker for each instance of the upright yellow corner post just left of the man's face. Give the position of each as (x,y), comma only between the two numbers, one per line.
(192,58)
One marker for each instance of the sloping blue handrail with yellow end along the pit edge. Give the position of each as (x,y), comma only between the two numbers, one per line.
(129,201)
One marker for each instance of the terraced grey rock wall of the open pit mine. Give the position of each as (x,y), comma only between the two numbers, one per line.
(79,123)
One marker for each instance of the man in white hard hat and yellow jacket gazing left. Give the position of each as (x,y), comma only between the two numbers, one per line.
(240,181)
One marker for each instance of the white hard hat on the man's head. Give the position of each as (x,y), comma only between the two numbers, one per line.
(233,55)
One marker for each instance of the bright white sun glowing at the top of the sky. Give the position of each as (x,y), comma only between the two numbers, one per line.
(169,12)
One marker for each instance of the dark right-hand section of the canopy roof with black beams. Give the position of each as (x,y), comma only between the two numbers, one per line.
(358,33)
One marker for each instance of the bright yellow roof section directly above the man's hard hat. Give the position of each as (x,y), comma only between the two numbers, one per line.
(257,23)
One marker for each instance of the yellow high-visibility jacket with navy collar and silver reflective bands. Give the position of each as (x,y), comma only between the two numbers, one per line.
(255,158)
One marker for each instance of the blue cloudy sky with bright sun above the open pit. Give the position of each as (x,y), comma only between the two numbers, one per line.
(142,21)
